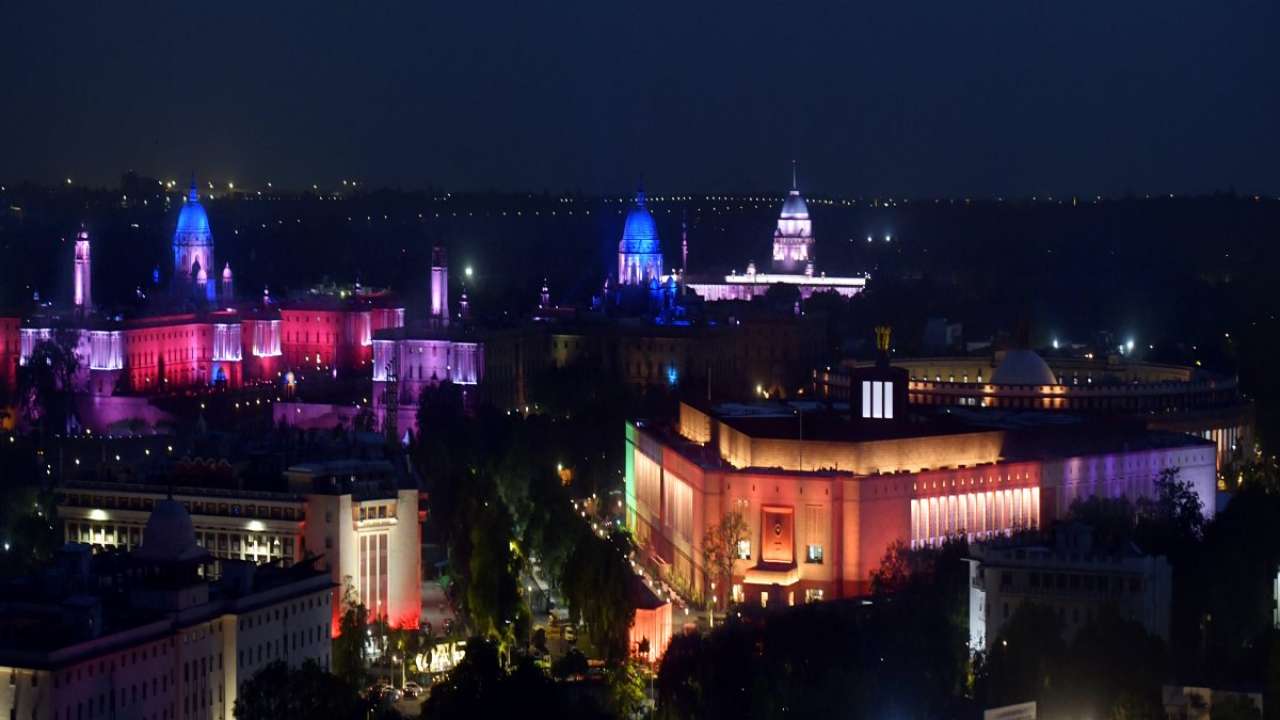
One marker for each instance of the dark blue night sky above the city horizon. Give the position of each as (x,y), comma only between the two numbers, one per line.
(920,98)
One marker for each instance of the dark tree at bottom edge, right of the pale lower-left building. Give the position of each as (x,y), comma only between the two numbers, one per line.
(277,691)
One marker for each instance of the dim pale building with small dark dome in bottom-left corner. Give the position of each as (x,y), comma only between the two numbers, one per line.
(148,635)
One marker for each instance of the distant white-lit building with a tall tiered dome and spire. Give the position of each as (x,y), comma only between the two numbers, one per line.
(793,263)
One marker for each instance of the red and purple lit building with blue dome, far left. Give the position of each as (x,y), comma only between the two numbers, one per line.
(198,336)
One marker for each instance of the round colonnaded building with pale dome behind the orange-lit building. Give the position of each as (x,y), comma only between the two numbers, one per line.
(1165,398)
